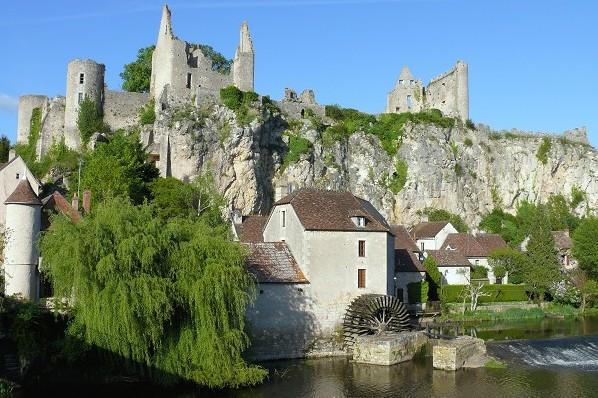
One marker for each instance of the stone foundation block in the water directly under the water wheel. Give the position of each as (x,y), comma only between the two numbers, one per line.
(388,349)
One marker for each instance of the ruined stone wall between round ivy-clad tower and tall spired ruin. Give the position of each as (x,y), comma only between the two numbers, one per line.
(121,108)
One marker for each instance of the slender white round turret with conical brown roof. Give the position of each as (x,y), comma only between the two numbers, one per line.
(21,257)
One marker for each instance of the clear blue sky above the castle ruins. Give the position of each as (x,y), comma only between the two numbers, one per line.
(532,64)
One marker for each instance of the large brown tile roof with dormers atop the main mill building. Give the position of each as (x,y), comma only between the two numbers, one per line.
(320,210)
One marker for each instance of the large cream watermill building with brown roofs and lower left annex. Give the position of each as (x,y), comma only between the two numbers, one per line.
(318,251)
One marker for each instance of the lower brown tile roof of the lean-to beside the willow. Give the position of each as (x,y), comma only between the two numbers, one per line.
(273,262)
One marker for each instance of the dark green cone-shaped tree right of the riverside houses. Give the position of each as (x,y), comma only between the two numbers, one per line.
(541,266)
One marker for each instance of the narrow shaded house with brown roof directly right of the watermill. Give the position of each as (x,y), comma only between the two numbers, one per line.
(408,266)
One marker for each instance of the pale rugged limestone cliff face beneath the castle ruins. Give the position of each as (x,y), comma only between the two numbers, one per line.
(465,171)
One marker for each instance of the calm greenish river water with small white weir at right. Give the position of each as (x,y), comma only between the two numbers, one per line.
(546,358)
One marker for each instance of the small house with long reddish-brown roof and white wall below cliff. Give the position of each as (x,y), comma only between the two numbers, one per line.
(477,249)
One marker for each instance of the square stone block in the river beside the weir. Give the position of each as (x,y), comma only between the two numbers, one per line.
(456,353)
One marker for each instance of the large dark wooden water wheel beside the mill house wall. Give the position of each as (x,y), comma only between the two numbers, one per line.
(374,314)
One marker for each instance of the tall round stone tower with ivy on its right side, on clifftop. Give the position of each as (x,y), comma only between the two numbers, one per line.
(85,78)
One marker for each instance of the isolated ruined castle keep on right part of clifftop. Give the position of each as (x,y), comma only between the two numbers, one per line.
(448,92)
